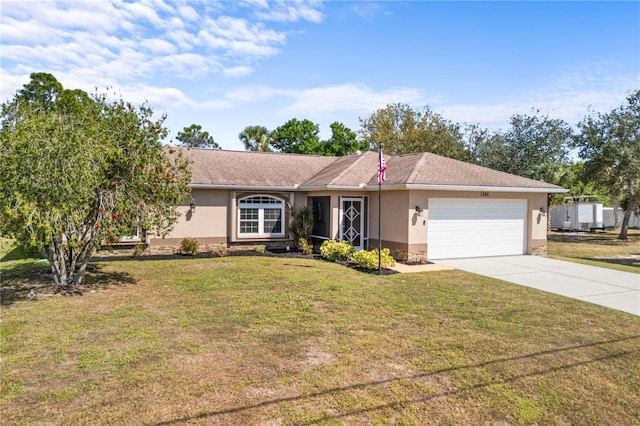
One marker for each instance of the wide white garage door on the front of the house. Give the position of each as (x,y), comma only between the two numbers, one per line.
(475,228)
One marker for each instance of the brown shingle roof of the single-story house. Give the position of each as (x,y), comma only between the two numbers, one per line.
(264,169)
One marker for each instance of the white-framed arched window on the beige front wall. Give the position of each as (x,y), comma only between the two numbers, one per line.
(260,216)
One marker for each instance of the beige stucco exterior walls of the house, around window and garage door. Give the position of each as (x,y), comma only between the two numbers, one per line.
(403,231)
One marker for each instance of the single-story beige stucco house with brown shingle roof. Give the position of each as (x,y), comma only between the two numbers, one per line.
(431,207)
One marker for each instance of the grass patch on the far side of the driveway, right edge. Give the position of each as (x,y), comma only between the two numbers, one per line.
(597,249)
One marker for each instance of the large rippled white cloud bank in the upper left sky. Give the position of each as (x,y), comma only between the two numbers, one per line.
(123,39)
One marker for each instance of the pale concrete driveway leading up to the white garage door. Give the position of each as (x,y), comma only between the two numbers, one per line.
(607,287)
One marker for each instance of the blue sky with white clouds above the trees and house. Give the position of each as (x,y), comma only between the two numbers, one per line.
(227,65)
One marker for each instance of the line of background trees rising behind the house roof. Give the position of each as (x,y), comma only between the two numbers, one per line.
(533,145)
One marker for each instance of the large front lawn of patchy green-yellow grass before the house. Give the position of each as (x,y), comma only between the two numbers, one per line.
(279,341)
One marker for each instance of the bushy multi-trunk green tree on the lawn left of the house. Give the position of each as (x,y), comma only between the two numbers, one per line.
(80,171)
